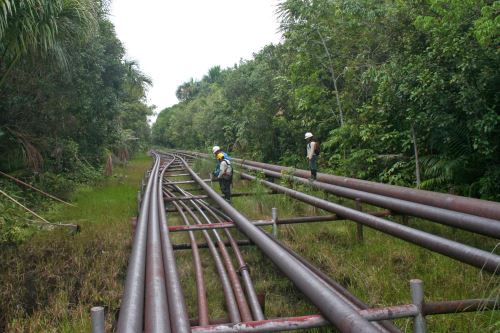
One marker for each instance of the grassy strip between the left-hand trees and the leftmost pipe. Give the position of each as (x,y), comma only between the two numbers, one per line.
(49,283)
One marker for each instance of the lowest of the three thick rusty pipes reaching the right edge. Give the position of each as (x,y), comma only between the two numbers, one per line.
(461,252)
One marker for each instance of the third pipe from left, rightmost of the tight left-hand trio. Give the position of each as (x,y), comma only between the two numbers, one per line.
(178,313)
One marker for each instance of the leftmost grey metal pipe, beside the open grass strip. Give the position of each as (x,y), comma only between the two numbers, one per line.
(130,319)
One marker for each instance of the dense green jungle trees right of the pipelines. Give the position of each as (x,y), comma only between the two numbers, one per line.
(382,84)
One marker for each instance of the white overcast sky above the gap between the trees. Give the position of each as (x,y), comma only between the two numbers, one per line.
(176,40)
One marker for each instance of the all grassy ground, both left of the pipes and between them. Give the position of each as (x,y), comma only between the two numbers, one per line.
(49,283)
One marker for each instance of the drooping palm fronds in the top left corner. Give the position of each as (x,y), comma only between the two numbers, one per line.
(41,27)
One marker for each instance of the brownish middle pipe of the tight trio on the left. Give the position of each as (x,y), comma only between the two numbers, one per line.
(156,309)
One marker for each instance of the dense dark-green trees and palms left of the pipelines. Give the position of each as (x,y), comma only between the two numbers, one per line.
(69,100)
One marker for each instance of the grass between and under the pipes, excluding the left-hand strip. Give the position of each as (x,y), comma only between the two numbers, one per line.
(377,270)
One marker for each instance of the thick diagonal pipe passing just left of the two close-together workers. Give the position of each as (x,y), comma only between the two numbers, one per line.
(339,313)
